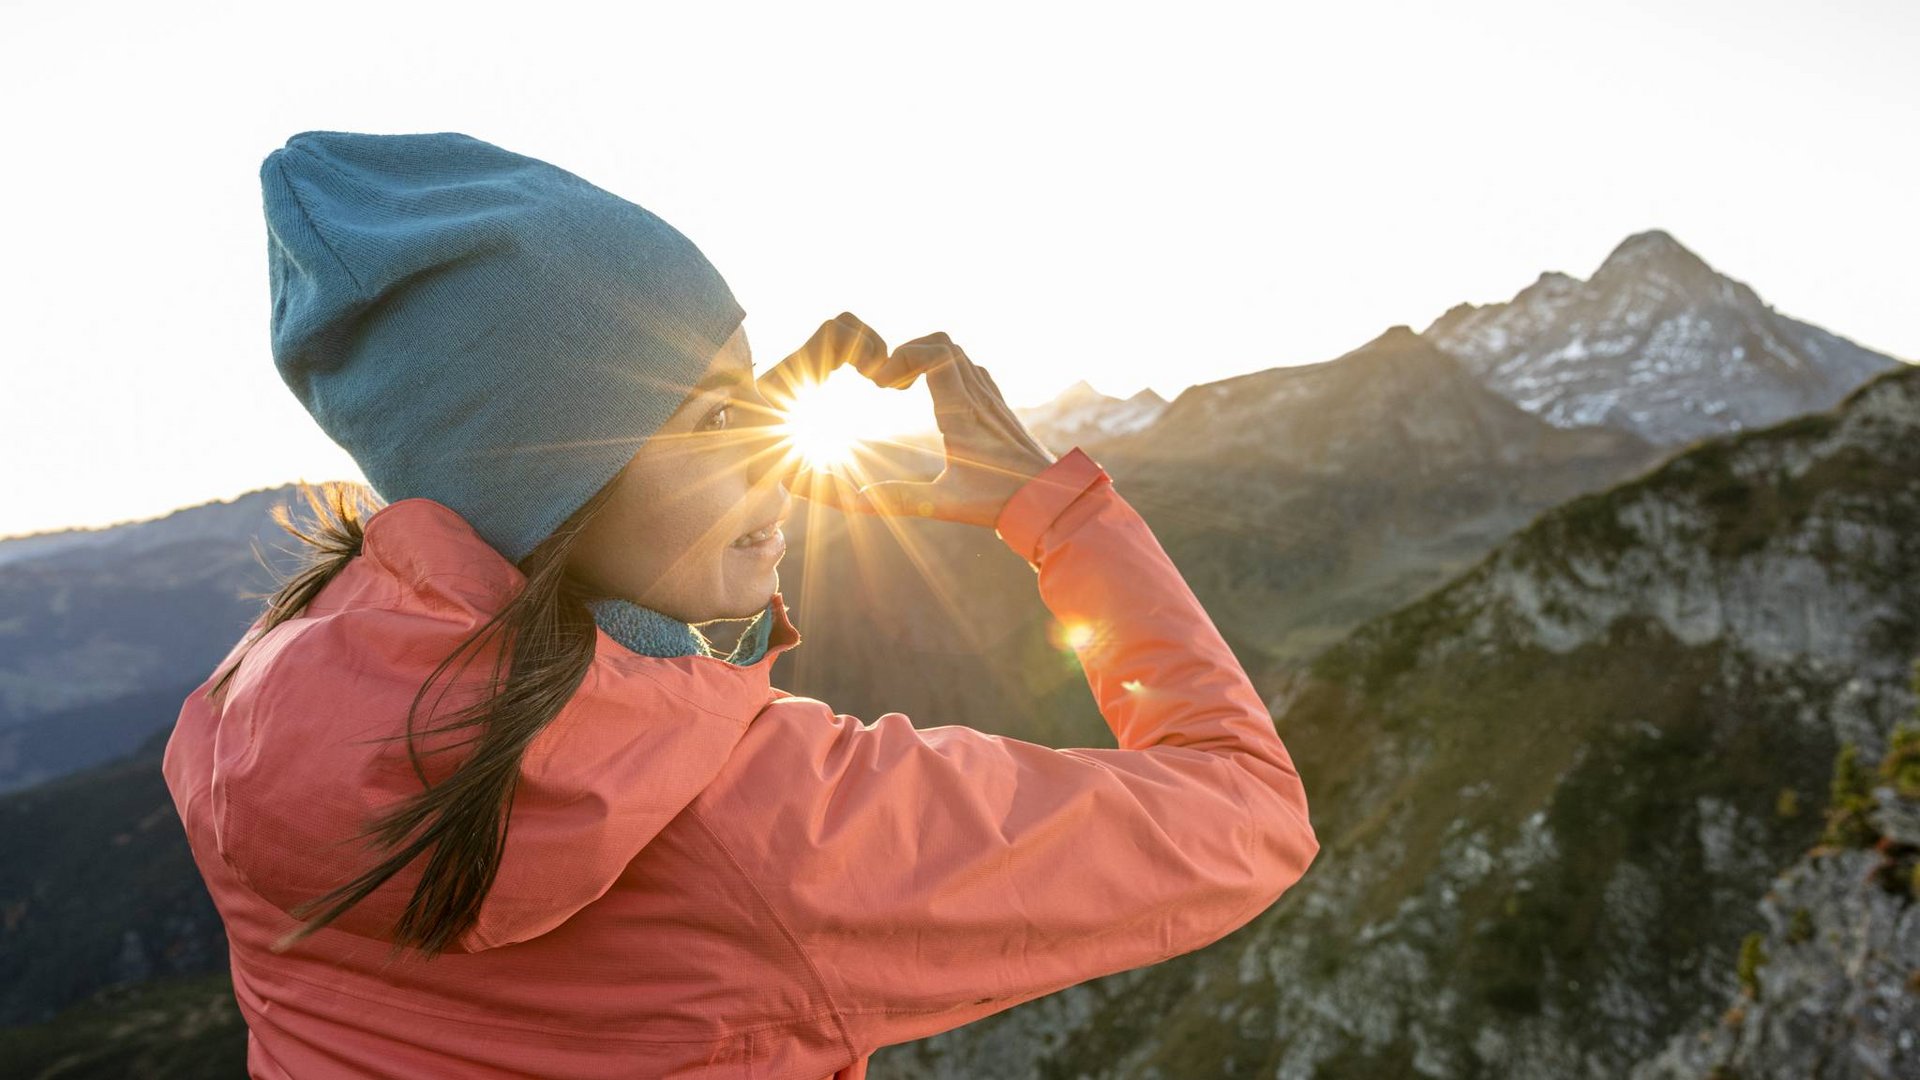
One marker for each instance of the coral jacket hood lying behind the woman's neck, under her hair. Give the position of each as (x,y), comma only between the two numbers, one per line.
(306,754)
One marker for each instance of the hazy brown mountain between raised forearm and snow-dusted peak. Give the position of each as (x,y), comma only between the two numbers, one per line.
(1305,501)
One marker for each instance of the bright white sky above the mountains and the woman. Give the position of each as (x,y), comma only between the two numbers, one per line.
(1136,197)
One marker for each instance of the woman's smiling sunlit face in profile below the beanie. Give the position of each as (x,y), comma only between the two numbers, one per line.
(713,474)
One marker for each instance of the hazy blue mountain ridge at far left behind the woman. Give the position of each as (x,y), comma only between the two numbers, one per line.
(101,622)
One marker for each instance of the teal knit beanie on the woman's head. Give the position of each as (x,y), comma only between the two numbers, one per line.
(479,328)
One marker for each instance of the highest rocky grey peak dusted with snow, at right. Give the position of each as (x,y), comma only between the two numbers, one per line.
(1658,345)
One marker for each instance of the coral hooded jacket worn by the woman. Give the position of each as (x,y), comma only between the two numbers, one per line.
(711,877)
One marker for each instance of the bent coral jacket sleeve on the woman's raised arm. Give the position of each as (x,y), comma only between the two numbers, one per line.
(940,875)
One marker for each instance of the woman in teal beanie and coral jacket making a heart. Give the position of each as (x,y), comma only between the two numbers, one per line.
(477,798)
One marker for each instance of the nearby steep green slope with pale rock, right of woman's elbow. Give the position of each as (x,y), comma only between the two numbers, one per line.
(1552,791)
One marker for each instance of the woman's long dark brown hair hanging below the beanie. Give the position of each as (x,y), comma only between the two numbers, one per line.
(546,645)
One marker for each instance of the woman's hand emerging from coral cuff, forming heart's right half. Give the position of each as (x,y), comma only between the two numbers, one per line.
(990,453)
